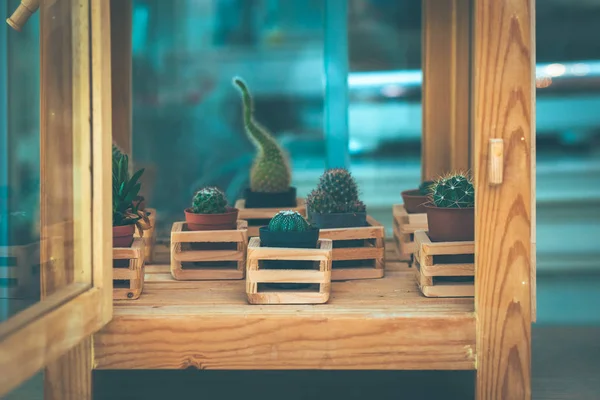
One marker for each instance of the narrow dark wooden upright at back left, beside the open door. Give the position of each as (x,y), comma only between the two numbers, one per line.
(121,19)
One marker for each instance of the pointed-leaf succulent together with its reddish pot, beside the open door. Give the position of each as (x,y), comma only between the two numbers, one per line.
(126,217)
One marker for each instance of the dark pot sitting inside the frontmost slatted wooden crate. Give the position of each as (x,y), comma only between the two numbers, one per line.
(298,240)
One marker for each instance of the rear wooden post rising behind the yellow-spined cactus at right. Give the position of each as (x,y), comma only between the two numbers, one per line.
(446,87)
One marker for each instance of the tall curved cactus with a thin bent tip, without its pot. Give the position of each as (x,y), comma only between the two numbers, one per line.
(270,171)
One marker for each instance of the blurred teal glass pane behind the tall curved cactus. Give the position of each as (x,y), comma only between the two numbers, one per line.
(187,120)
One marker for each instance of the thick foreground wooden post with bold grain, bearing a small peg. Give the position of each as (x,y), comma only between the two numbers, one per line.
(503,109)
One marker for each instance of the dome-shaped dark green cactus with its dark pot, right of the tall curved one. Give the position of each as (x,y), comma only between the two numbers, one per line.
(335,203)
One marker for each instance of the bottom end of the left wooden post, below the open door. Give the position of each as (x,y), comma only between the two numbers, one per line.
(70,377)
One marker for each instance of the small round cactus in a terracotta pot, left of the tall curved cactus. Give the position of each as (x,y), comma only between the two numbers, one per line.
(209,211)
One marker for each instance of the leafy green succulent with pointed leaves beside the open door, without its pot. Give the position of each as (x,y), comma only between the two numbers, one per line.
(125,190)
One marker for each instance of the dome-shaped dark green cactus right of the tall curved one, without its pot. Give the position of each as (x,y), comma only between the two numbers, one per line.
(336,192)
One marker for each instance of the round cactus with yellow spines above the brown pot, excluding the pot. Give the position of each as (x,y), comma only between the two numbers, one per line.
(453,191)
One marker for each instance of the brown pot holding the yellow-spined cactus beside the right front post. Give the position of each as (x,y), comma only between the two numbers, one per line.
(450,224)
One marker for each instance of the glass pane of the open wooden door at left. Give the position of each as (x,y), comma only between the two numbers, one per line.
(42,179)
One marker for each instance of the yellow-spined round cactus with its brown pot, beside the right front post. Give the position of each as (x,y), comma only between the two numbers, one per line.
(451,211)
